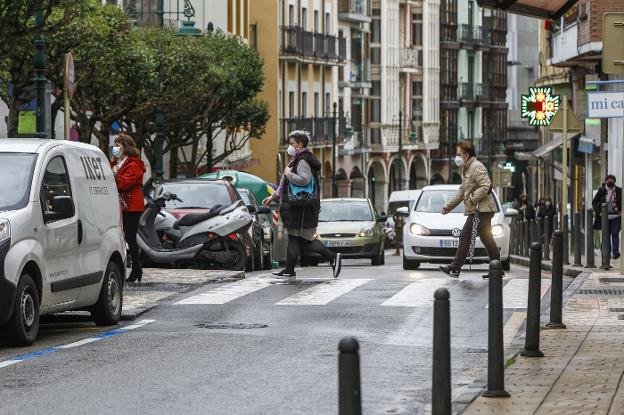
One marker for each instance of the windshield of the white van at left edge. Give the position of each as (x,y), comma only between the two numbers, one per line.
(16,171)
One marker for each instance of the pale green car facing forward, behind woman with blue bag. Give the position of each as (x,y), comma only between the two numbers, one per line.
(353,228)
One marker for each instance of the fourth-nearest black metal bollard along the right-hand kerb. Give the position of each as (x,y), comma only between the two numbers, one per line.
(531,343)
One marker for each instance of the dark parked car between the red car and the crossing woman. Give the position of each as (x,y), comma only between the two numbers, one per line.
(262,233)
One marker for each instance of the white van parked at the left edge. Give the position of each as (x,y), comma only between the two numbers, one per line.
(61,240)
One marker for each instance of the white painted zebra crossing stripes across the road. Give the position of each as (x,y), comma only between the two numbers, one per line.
(324,292)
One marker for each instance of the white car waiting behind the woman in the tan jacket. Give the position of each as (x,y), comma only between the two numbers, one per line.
(429,236)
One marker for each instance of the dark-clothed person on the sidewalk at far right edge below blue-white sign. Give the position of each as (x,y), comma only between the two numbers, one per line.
(610,194)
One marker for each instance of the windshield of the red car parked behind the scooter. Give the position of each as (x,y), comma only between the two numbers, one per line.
(197,195)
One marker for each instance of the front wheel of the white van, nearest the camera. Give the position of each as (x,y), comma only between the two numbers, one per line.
(22,329)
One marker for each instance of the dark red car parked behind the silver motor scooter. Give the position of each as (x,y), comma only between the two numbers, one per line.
(200,196)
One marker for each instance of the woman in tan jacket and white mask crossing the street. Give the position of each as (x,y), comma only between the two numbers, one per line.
(479,207)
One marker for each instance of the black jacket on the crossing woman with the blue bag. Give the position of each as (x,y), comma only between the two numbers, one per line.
(296,217)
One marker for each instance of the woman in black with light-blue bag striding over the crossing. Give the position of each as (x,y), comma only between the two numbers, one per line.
(300,205)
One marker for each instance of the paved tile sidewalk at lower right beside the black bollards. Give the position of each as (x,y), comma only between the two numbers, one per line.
(583,366)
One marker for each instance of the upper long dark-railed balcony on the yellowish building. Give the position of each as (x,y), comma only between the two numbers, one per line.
(311,46)
